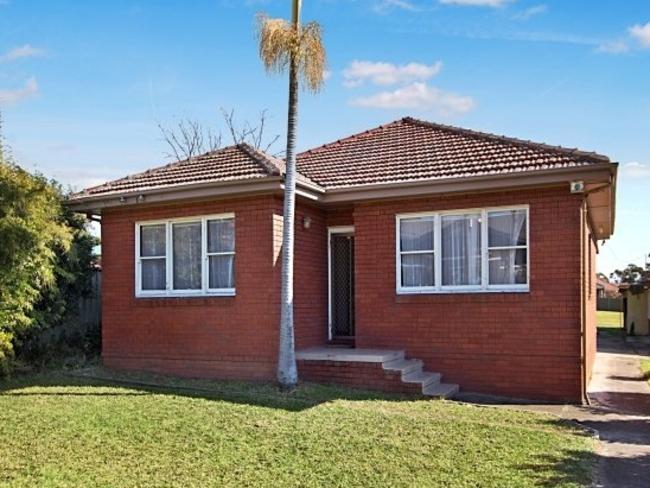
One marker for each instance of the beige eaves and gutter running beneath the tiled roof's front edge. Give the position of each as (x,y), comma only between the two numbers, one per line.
(599,191)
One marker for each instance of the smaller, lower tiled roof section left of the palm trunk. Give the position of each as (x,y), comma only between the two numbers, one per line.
(232,163)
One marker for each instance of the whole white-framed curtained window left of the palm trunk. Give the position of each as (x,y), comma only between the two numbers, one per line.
(186,257)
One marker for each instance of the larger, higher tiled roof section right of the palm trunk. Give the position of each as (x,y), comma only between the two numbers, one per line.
(411,150)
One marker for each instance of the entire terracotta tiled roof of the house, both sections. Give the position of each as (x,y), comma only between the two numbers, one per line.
(402,151)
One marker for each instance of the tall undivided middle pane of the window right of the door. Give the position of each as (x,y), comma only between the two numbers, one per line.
(461,250)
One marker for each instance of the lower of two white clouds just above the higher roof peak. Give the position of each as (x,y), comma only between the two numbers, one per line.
(419,96)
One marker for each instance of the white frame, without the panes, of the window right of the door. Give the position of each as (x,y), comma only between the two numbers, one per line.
(484,287)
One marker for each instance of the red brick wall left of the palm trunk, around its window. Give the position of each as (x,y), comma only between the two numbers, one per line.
(228,337)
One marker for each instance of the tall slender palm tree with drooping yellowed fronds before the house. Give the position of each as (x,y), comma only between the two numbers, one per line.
(299,48)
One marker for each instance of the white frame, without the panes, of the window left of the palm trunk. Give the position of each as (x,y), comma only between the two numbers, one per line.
(169,259)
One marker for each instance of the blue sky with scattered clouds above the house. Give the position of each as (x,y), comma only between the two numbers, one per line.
(83,85)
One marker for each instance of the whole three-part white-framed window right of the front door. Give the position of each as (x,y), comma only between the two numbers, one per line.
(455,251)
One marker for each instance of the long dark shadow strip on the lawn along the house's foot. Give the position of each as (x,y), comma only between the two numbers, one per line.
(305,396)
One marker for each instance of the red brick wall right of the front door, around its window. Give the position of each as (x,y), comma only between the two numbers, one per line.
(515,344)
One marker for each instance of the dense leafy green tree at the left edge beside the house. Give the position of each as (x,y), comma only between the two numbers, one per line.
(45,252)
